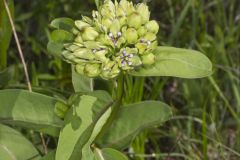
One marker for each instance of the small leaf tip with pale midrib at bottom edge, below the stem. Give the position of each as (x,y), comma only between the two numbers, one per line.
(109,154)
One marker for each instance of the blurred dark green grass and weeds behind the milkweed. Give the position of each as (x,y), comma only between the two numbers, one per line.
(206,121)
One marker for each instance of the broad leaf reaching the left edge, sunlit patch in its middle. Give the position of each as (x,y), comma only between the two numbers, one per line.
(29,110)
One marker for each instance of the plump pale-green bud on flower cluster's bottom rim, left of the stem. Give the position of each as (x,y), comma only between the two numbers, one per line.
(92,70)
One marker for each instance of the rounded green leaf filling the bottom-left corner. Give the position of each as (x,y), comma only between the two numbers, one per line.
(14,146)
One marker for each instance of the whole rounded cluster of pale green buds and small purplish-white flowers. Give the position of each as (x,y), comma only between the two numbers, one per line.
(118,38)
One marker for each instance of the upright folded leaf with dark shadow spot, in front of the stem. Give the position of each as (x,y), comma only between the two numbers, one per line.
(83,123)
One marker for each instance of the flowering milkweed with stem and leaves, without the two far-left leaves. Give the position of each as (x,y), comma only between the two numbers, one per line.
(118,40)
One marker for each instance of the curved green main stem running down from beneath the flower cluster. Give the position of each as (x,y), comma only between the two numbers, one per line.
(116,106)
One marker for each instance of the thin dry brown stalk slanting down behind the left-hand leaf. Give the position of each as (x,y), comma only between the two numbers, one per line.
(23,62)
